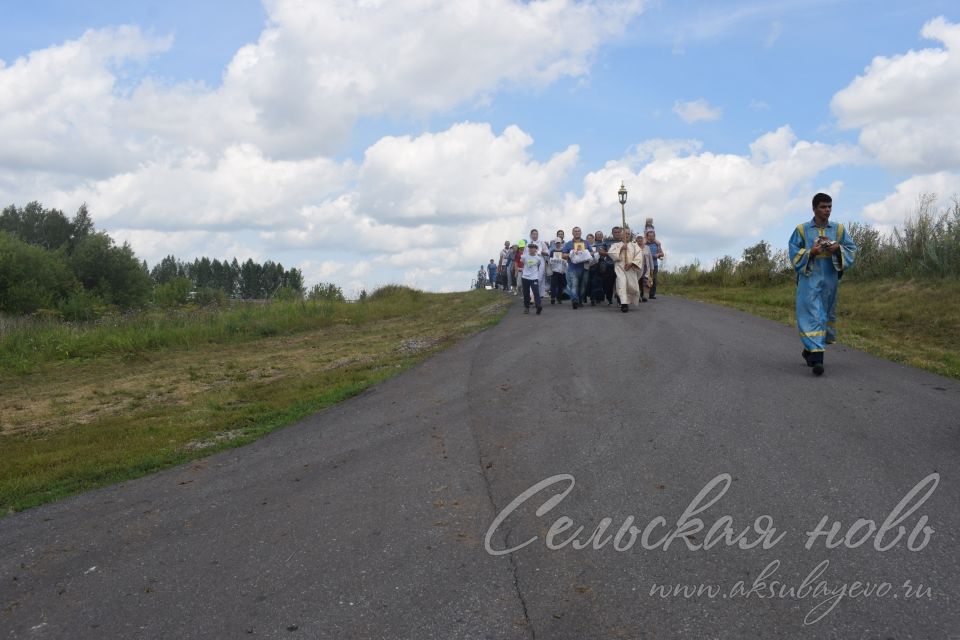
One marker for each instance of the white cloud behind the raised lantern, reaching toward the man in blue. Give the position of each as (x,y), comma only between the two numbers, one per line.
(710,199)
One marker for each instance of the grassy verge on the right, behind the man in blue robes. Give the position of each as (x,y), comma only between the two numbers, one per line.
(912,322)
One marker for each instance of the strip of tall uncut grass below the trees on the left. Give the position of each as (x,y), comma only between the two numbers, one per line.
(25,345)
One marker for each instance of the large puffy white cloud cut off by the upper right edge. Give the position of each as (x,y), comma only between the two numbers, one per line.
(907,106)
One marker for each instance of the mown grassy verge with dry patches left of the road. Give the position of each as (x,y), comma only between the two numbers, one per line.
(83,408)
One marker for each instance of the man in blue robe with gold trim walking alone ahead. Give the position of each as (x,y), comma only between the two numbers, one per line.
(820,251)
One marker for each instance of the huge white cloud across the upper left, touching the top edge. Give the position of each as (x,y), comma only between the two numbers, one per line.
(298,91)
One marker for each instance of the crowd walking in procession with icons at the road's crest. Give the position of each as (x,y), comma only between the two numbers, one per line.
(593,268)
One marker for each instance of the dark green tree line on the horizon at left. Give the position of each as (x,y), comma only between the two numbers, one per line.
(63,266)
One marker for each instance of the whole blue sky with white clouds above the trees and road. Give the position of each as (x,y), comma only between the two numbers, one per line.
(374,142)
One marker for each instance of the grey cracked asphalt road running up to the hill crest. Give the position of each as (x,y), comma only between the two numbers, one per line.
(375,518)
